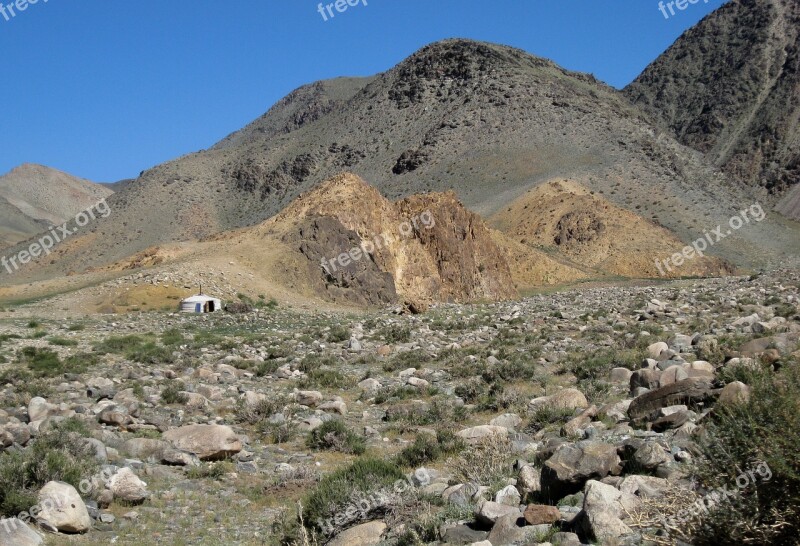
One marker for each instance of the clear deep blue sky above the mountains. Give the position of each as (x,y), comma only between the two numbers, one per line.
(104,89)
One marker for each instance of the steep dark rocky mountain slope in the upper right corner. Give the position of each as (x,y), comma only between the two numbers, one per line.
(730,87)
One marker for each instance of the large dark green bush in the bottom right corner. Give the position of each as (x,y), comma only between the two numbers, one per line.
(739,438)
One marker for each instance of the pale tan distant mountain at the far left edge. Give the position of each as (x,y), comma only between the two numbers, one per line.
(34,197)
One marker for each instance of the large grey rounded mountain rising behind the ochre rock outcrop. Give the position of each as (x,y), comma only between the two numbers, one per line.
(487,122)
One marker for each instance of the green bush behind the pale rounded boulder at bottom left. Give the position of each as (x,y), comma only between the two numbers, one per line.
(56,455)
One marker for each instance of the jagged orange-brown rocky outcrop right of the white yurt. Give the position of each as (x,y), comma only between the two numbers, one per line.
(361,248)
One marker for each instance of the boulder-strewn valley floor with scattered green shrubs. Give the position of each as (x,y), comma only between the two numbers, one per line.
(413,391)
